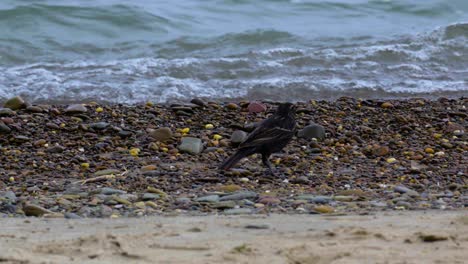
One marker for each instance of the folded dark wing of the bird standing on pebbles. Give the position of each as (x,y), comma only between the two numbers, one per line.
(269,135)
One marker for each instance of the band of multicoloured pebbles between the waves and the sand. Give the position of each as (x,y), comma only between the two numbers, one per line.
(99,160)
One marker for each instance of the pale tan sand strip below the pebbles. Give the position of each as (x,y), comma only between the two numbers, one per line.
(380,237)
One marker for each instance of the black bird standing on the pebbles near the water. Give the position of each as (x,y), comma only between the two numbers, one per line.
(270,136)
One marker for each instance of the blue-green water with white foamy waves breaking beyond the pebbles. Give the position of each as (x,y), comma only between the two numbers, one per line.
(135,51)
